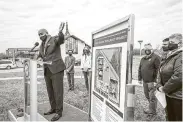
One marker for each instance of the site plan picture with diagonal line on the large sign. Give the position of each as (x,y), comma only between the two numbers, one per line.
(107,73)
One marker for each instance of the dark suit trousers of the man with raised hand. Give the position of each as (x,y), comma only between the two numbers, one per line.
(54,84)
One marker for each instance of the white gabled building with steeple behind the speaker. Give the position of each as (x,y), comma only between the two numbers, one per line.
(73,43)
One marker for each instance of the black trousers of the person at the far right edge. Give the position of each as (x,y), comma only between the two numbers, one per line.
(174,109)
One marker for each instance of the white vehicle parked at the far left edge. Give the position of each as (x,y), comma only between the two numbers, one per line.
(8,64)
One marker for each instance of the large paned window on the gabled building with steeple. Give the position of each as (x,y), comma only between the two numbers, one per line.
(71,44)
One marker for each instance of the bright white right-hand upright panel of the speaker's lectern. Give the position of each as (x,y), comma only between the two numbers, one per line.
(33,90)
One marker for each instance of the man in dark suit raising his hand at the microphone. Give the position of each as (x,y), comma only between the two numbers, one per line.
(53,72)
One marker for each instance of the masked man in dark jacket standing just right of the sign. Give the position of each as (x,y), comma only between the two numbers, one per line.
(147,72)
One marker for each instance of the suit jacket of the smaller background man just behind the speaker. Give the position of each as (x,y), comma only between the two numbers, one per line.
(70,62)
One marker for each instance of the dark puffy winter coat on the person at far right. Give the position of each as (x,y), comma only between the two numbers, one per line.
(171,75)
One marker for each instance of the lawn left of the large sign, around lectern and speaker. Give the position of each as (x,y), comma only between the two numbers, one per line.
(11,95)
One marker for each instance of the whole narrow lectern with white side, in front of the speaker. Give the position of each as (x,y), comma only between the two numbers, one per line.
(30,90)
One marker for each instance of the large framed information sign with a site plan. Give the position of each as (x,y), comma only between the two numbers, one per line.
(111,66)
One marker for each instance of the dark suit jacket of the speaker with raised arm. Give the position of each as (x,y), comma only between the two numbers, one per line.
(51,52)
